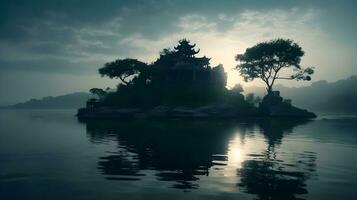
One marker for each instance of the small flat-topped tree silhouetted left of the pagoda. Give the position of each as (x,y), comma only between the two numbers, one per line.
(122,69)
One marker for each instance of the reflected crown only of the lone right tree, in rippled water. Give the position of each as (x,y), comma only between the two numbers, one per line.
(273,179)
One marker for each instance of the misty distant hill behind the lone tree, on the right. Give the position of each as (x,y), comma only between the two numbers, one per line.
(323,96)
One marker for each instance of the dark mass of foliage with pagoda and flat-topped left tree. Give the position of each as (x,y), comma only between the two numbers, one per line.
(177,77)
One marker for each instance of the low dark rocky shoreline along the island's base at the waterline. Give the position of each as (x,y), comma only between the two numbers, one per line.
(203,112)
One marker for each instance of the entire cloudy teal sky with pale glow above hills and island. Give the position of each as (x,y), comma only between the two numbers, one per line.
(49,48)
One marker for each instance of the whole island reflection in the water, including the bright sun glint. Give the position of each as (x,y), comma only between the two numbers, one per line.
(183,152)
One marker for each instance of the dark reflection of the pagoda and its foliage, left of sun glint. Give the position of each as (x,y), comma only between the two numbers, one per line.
(179,151)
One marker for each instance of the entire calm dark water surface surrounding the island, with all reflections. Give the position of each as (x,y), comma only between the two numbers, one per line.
(50,155)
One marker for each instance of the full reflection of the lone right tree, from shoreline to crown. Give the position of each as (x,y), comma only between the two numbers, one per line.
(271,177)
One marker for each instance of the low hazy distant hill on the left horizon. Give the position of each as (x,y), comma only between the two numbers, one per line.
(74,100)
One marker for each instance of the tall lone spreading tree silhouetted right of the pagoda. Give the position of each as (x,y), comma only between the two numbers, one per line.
(266,61)
